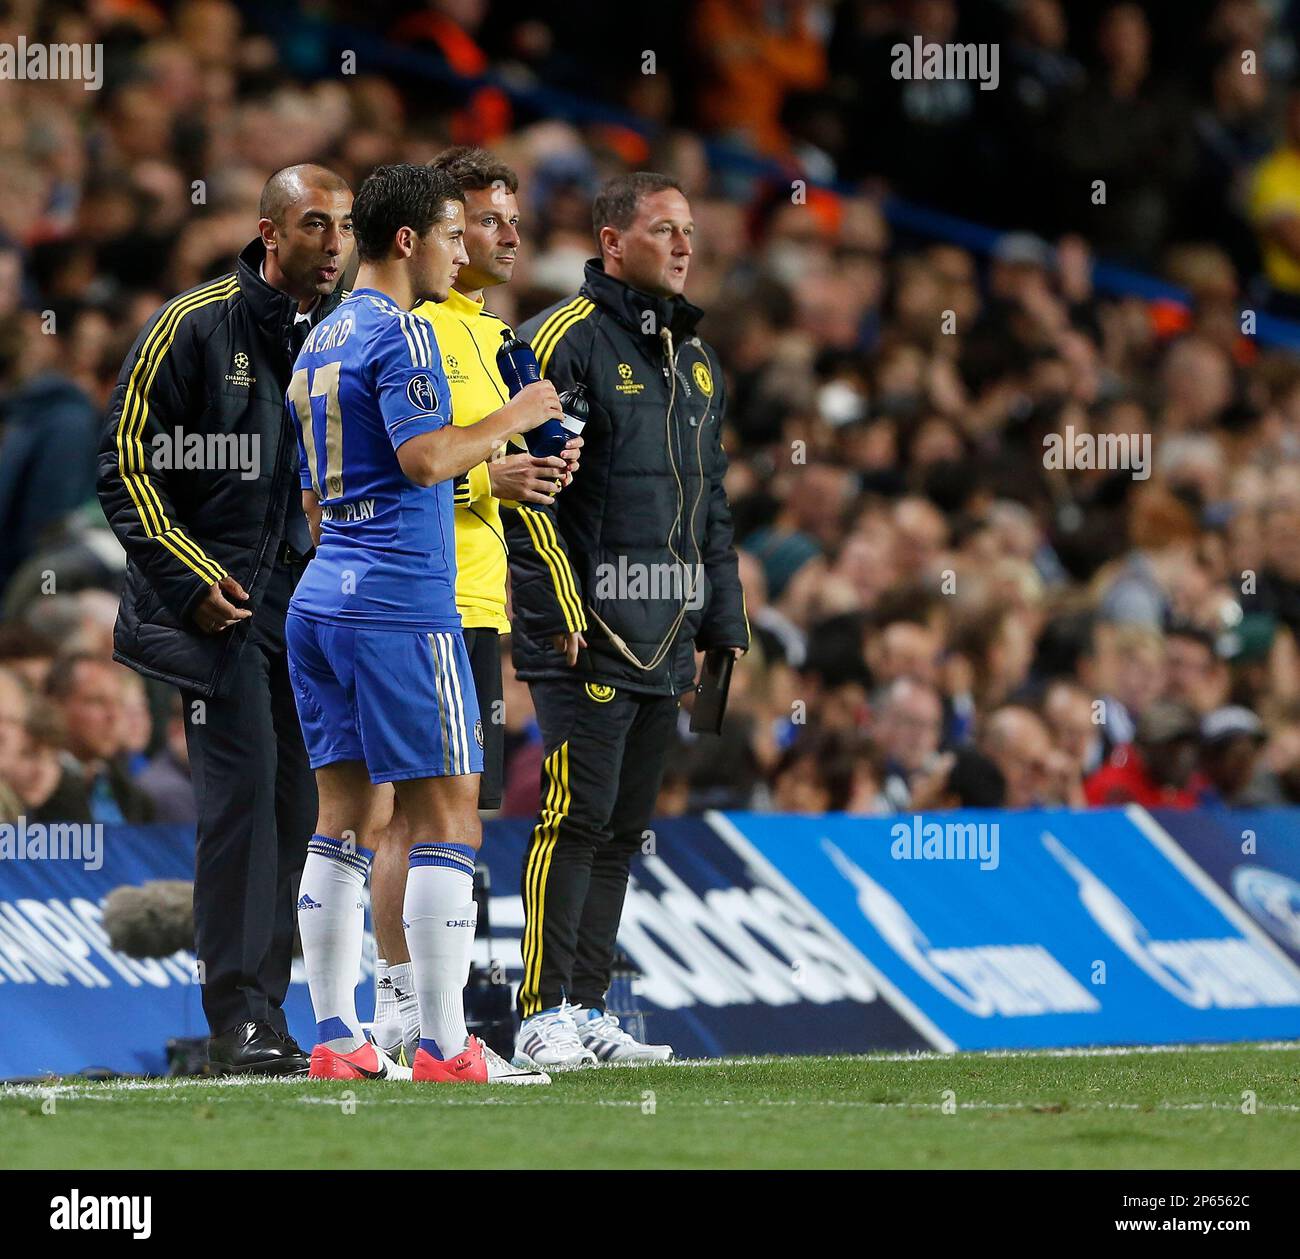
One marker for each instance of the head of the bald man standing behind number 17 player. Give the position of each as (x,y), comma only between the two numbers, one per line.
(306,224)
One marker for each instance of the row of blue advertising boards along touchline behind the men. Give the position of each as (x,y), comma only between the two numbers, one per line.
(769,934)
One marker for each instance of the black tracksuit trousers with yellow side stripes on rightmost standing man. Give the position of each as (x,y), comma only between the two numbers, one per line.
(605,752)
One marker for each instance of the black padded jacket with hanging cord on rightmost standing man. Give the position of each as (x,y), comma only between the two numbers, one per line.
(638,551)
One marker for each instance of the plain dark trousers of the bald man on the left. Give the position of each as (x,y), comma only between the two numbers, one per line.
(257,801)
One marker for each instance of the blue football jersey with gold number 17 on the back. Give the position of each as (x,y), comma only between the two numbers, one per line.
(369,379)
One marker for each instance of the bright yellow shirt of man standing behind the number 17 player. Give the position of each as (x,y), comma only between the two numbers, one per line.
(469,338)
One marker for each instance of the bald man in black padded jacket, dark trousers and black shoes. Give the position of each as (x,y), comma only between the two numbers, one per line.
(198,477)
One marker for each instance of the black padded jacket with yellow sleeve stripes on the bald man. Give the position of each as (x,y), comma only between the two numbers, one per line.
(198,469)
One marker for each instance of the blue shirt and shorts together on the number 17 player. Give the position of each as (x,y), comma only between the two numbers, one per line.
(376,644)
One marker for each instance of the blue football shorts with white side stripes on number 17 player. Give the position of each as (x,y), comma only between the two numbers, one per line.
(400,700)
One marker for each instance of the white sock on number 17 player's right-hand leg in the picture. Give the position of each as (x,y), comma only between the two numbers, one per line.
(440,915)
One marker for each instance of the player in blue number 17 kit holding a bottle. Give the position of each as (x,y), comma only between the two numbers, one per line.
(380,672)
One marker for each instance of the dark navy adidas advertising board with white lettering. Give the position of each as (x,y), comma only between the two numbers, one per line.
(731,963)
